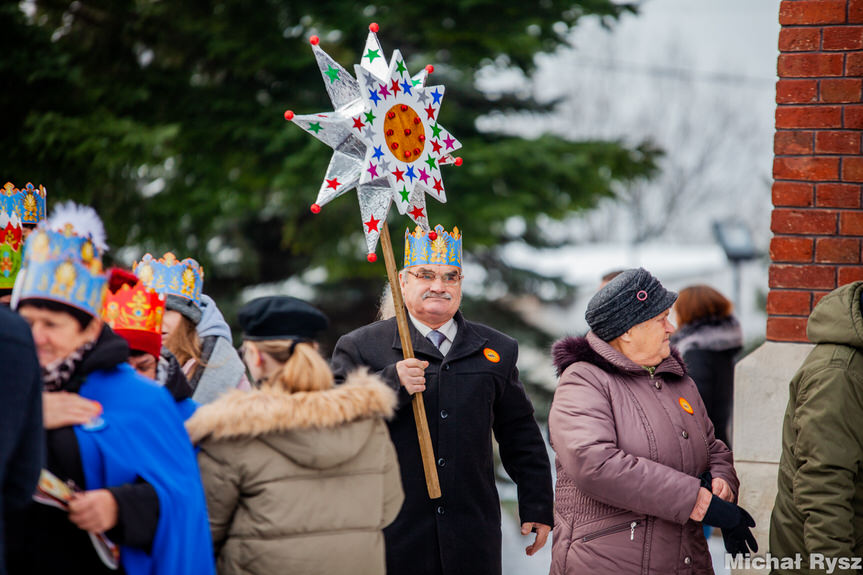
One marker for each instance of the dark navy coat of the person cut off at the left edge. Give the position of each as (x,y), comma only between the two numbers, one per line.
(21,441)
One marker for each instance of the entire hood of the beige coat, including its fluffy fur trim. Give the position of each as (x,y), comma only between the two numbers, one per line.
(311,428)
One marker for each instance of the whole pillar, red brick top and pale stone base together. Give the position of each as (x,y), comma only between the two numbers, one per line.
(817,222)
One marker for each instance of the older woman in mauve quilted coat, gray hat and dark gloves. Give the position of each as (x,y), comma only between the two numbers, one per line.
(638,466)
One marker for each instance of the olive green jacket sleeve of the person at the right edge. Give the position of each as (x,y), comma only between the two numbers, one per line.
(826,423)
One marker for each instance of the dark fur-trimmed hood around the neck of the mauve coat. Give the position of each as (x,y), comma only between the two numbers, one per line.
(593,350)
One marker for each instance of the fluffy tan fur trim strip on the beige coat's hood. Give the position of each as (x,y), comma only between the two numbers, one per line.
(263,411)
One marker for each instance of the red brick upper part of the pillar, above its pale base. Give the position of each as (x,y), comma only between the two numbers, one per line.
(817,218)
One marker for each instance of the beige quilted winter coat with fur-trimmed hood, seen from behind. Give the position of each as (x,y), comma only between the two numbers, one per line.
(300,483)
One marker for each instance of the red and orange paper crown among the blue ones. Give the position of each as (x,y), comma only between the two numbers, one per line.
(135,314)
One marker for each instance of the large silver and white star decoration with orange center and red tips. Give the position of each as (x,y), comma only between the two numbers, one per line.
(386,139)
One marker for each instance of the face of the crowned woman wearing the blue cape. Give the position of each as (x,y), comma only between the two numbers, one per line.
(57,334)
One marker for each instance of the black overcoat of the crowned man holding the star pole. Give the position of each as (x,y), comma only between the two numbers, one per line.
(472,392)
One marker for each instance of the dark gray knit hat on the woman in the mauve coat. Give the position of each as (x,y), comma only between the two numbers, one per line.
(634,296)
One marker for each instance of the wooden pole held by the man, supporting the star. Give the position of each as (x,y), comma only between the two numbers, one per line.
(426,448)
